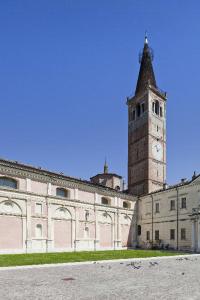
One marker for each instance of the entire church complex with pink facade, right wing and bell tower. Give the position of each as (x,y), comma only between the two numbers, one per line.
(44,211)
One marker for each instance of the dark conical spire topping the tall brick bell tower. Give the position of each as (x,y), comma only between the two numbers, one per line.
(146,73)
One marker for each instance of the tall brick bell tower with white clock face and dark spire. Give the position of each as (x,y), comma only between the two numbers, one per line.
(146,131)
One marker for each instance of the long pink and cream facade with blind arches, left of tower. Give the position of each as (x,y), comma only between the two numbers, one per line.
(33,218)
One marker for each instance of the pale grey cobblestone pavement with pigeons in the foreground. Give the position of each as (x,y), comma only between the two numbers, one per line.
(158,278)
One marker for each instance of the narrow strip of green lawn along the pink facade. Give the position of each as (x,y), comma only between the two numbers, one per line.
(65,257)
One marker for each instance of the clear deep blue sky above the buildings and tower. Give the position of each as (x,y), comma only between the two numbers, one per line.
(67,66)
